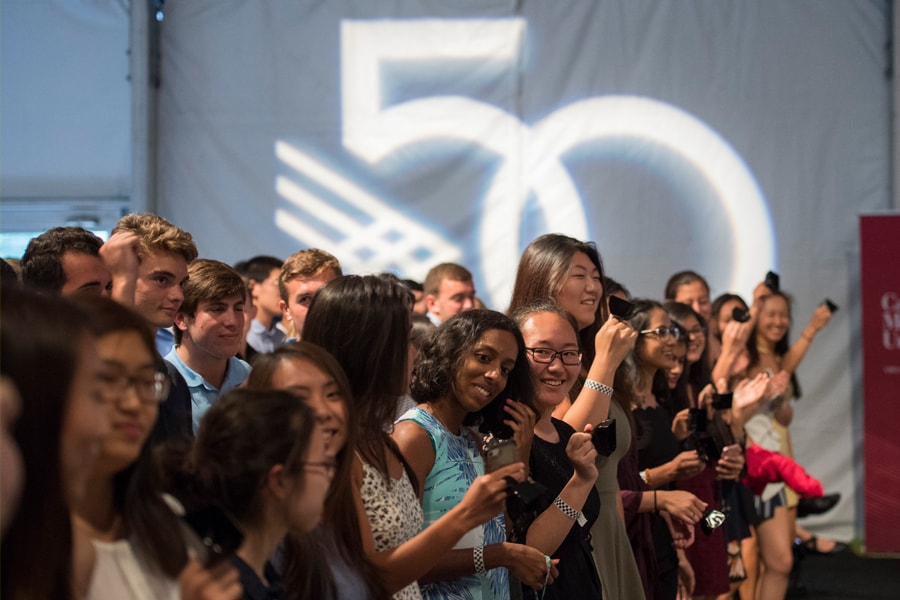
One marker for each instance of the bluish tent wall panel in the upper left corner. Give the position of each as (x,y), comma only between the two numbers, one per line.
(65,111)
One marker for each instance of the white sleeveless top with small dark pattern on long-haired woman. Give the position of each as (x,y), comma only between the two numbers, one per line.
(394,514)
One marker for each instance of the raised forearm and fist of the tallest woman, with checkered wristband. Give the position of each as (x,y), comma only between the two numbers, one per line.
(613,343)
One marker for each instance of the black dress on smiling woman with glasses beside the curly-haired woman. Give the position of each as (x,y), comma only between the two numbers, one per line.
(550,466)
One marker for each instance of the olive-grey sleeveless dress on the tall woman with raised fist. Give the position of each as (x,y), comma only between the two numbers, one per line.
(612,550)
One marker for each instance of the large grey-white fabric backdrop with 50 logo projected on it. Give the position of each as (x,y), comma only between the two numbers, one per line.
(730,138)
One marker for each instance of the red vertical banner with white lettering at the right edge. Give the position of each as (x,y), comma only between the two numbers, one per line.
(880,271)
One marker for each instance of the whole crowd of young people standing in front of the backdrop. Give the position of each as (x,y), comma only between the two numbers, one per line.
(176,427)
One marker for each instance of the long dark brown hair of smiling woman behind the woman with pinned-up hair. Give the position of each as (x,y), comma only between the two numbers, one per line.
(305,570)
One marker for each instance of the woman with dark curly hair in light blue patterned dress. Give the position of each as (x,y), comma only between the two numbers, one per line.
(472,371)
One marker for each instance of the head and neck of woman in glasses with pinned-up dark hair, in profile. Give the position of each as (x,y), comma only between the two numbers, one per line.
(260,457)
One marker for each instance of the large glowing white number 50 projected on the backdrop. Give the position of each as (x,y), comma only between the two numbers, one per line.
(531,155)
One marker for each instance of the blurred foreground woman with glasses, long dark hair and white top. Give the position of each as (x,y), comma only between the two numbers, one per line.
(135,545)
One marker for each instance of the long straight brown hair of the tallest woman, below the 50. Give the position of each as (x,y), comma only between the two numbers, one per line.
(541,274)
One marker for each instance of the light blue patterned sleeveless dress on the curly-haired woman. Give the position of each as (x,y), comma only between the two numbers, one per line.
(457,462)
